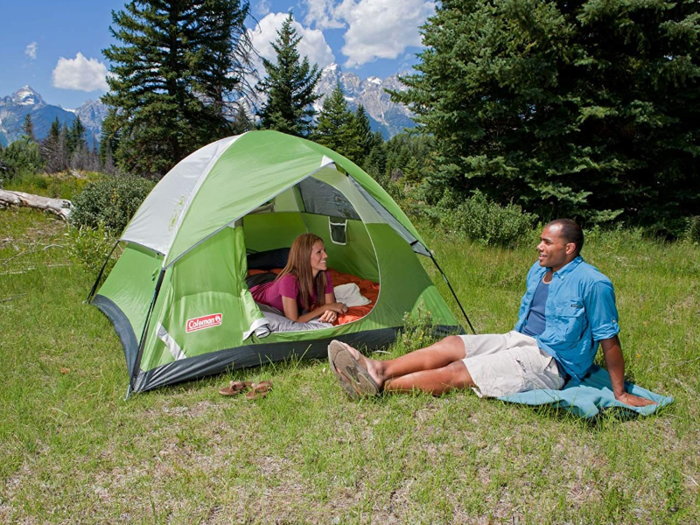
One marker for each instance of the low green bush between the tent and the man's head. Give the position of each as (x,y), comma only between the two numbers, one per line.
(483,221)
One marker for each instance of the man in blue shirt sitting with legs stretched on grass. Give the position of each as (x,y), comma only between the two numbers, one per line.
(567,310)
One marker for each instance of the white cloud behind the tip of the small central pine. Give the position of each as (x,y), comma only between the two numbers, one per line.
(313,44)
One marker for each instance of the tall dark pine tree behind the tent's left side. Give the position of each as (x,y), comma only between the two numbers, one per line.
(178,68)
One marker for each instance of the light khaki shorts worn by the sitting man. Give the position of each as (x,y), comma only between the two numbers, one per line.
(504,364)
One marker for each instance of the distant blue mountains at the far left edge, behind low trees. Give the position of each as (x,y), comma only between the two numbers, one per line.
(15,108)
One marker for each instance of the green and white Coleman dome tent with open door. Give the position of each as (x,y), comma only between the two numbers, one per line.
(177,295)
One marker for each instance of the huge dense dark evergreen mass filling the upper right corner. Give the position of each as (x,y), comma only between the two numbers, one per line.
(578,108)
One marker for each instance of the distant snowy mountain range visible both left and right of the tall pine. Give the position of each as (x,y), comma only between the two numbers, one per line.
(385,116)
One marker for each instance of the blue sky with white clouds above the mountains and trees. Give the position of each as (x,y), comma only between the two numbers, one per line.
(55,46)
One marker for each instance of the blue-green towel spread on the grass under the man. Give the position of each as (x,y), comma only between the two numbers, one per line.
(588,397)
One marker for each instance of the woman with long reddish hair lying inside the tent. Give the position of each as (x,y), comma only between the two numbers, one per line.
(303,290)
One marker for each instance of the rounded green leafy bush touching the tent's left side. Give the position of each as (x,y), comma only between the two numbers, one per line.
(110,203)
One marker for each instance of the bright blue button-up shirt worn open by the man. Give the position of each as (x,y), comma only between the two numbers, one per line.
(580,312)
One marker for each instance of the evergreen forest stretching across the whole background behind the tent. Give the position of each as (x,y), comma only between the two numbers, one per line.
(525,109)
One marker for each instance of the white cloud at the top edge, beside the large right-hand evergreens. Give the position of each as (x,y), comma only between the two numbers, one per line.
(381,28)
